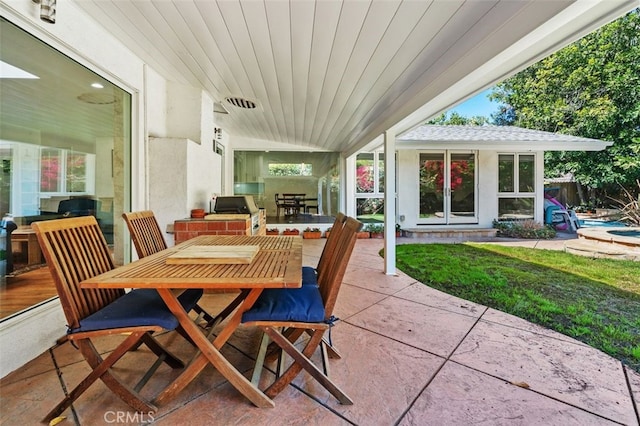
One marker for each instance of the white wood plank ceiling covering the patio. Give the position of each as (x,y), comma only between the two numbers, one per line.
(333,75)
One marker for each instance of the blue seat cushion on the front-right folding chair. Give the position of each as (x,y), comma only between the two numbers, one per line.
(302,304)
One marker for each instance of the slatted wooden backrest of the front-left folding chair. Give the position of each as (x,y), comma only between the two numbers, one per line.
(76,250)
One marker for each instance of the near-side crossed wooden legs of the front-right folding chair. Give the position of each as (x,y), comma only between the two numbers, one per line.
(301,361)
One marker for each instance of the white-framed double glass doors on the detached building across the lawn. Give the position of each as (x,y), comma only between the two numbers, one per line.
(448,188)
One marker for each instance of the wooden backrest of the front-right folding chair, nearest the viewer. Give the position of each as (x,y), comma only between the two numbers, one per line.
(332,275)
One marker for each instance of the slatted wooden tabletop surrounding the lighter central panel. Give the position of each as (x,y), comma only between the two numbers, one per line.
(278,263)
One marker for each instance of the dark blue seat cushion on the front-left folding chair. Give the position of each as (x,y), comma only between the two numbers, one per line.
(139,307)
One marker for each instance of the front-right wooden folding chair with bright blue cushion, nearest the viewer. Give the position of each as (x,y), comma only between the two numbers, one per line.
(307,309)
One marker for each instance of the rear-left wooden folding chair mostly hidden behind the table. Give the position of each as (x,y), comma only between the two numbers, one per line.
(148,239)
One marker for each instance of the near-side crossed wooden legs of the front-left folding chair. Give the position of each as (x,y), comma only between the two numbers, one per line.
(101,371)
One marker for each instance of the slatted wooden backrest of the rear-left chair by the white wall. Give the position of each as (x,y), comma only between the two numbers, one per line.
(145,232)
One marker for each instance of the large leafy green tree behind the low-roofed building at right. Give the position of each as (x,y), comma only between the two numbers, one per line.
(590,88)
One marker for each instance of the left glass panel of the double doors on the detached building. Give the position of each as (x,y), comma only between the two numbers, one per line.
(432,185)
